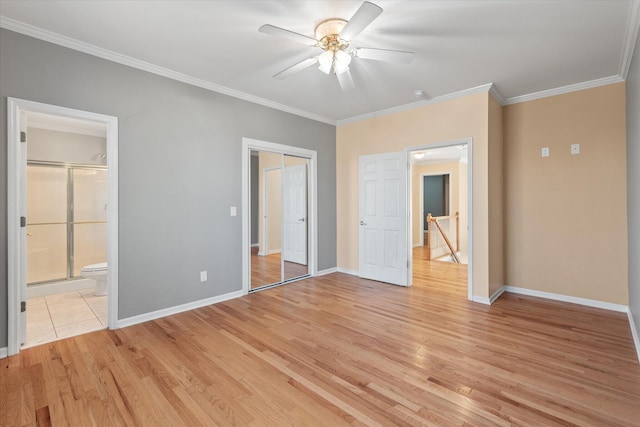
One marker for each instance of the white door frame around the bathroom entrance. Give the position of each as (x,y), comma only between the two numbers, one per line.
(16,245)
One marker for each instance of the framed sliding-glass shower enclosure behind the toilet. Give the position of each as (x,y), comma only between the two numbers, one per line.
(66,220)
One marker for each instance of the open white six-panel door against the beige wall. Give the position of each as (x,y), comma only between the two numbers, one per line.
(383,218)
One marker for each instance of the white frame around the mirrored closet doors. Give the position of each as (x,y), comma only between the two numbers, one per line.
(249,144)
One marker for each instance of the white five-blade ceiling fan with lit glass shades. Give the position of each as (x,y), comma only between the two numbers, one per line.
(334,37)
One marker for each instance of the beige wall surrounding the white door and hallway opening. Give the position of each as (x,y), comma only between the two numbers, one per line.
(446,121)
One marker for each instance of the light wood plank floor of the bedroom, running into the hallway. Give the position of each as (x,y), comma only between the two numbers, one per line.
(339,350)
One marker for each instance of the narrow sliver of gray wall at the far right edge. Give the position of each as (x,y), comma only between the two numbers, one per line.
(633,183)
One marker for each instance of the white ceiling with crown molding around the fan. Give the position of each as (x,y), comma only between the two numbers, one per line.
(523,47)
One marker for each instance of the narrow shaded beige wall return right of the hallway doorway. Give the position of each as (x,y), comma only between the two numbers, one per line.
(496,198)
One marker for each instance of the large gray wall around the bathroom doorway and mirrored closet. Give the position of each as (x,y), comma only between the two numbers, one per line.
(180,169)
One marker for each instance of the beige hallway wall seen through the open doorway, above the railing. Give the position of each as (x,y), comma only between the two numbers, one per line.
(458,196)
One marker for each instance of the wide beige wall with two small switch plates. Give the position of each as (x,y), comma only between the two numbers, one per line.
(566,222)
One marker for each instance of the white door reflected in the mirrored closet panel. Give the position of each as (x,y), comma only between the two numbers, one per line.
(294,214)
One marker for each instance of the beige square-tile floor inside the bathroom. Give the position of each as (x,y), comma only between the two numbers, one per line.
(65,315)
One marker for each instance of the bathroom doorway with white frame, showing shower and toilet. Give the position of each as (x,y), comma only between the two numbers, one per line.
(63,255)
